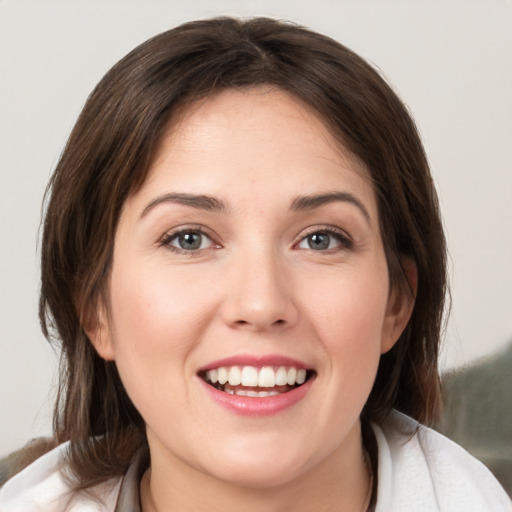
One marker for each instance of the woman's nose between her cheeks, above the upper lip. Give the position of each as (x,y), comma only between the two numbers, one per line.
(259,294)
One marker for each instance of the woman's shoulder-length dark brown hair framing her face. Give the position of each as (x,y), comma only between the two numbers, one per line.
(107,158)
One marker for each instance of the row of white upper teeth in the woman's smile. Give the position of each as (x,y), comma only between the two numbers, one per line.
(266,377)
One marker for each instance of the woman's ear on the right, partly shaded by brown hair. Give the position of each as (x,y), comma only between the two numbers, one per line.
(400,306)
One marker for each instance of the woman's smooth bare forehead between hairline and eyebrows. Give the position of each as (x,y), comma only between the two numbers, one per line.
(253,139)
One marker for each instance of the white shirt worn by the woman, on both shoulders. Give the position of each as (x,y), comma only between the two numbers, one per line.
(419,470)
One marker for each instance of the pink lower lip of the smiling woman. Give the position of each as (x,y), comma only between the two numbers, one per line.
(258,406)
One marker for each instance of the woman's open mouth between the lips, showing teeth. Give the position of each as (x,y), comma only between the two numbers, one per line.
(256,382)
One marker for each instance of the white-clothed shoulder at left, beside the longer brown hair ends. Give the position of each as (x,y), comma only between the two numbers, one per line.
(42,487)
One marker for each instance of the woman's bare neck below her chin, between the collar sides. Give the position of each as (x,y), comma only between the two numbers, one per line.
(341,482)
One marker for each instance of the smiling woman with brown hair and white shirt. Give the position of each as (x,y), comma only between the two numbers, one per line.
(244,264)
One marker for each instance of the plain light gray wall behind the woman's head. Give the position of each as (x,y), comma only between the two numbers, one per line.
(450,61)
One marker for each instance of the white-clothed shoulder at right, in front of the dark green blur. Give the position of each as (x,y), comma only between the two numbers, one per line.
(422,469)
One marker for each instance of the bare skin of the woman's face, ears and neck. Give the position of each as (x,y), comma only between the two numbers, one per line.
(254,287)
